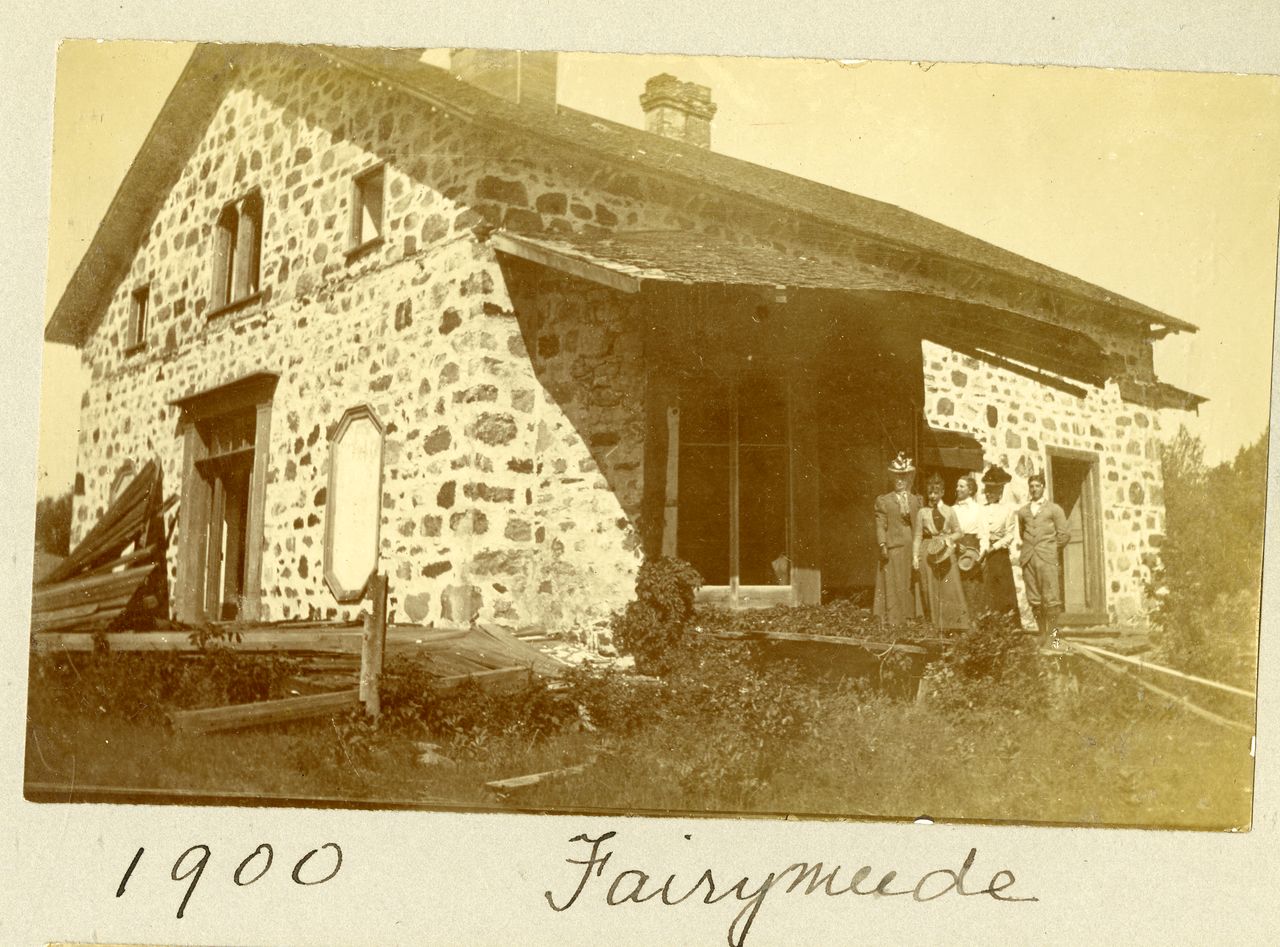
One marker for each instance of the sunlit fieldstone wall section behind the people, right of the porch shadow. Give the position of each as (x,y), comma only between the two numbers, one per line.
(1018,420)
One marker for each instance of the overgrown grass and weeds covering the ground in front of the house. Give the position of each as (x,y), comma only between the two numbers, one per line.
(721,735)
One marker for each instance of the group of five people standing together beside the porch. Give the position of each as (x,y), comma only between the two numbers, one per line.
(954,564)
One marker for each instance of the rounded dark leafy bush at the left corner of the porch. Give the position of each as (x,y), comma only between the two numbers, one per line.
(659,619)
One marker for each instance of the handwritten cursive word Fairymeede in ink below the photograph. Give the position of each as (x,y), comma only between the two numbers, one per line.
(637,886)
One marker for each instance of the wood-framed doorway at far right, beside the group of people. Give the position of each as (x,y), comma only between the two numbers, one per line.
(1073,484)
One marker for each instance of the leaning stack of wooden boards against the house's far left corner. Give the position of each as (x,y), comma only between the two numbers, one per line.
(117,574)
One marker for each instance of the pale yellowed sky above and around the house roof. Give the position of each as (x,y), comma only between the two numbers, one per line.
(1164,187)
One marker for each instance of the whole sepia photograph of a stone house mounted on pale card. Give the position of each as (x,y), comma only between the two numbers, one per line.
(483,429)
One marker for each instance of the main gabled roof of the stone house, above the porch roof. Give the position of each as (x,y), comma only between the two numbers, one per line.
(195,97)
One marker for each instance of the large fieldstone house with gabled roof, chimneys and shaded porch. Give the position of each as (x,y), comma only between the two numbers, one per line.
(583,342)
